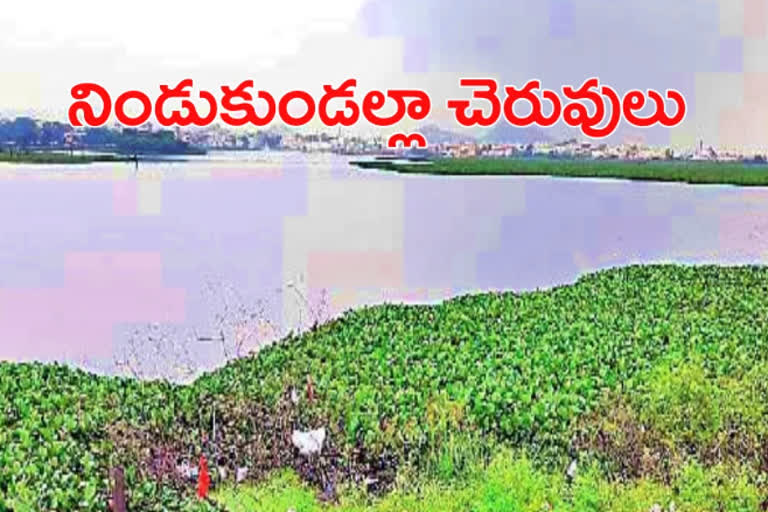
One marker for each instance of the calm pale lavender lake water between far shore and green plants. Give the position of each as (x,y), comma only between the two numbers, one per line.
(172,268)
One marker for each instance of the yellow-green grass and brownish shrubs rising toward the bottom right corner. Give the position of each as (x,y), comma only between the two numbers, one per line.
(683,440)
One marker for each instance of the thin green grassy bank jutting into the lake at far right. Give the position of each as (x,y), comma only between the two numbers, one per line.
(731,173)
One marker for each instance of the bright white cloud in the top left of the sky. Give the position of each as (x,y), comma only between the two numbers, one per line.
(175,31)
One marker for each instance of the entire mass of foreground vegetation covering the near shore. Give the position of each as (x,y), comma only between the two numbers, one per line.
(650,376)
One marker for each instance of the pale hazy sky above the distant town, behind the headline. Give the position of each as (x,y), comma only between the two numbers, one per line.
(714,51)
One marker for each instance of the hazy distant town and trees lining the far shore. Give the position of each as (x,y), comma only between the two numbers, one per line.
(25,134)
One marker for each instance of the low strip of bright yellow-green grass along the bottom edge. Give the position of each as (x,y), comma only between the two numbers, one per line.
(513,483)
